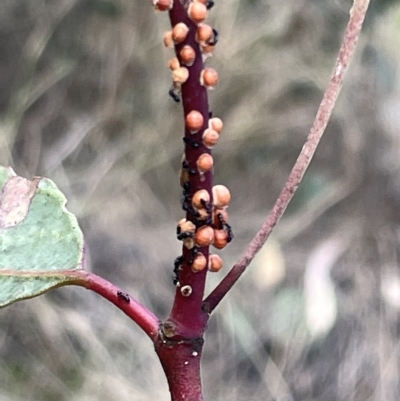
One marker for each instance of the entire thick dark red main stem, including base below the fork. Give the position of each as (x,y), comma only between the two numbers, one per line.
(180,340)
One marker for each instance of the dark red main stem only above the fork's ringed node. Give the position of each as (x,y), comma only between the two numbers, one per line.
(186,316)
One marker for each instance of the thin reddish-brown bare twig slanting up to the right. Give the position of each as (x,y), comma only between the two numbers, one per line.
(346,51)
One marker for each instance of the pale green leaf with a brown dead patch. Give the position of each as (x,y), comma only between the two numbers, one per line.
(41,244)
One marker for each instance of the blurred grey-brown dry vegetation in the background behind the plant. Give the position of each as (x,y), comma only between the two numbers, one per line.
(84,101)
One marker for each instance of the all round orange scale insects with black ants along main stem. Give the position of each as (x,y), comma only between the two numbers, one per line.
(206,216)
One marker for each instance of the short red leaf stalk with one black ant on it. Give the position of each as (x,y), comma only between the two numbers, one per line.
(144,318)
